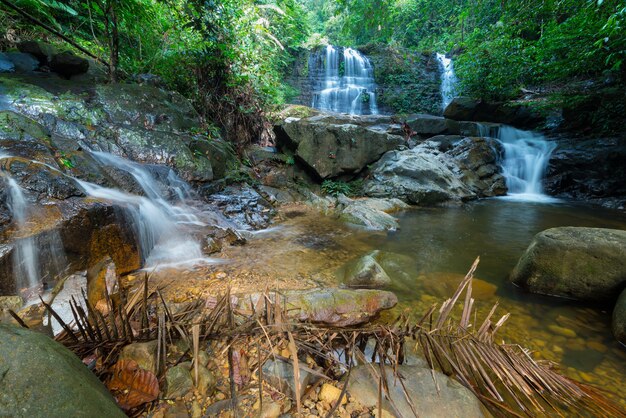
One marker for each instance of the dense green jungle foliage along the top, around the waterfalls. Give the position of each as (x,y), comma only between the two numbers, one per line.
(229,56)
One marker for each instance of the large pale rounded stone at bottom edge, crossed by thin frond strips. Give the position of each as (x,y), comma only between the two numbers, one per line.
(452,400)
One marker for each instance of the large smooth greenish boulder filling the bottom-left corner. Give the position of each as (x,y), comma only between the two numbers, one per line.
(41,378)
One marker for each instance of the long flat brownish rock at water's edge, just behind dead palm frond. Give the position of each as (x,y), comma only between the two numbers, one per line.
(330,306)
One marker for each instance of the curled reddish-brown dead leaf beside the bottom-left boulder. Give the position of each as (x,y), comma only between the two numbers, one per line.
(131,385)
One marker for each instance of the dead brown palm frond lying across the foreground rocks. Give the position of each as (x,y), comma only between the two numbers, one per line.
(505,377)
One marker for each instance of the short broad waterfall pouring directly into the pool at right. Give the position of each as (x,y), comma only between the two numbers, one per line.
(526,157)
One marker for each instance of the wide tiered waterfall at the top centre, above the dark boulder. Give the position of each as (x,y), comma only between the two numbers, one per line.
(346,83)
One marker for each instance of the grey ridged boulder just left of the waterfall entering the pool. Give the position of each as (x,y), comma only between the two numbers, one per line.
(442,169)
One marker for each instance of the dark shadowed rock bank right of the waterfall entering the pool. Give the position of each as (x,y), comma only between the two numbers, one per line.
(593,170)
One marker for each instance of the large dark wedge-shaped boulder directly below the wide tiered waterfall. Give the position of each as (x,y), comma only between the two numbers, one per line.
(335,145)
